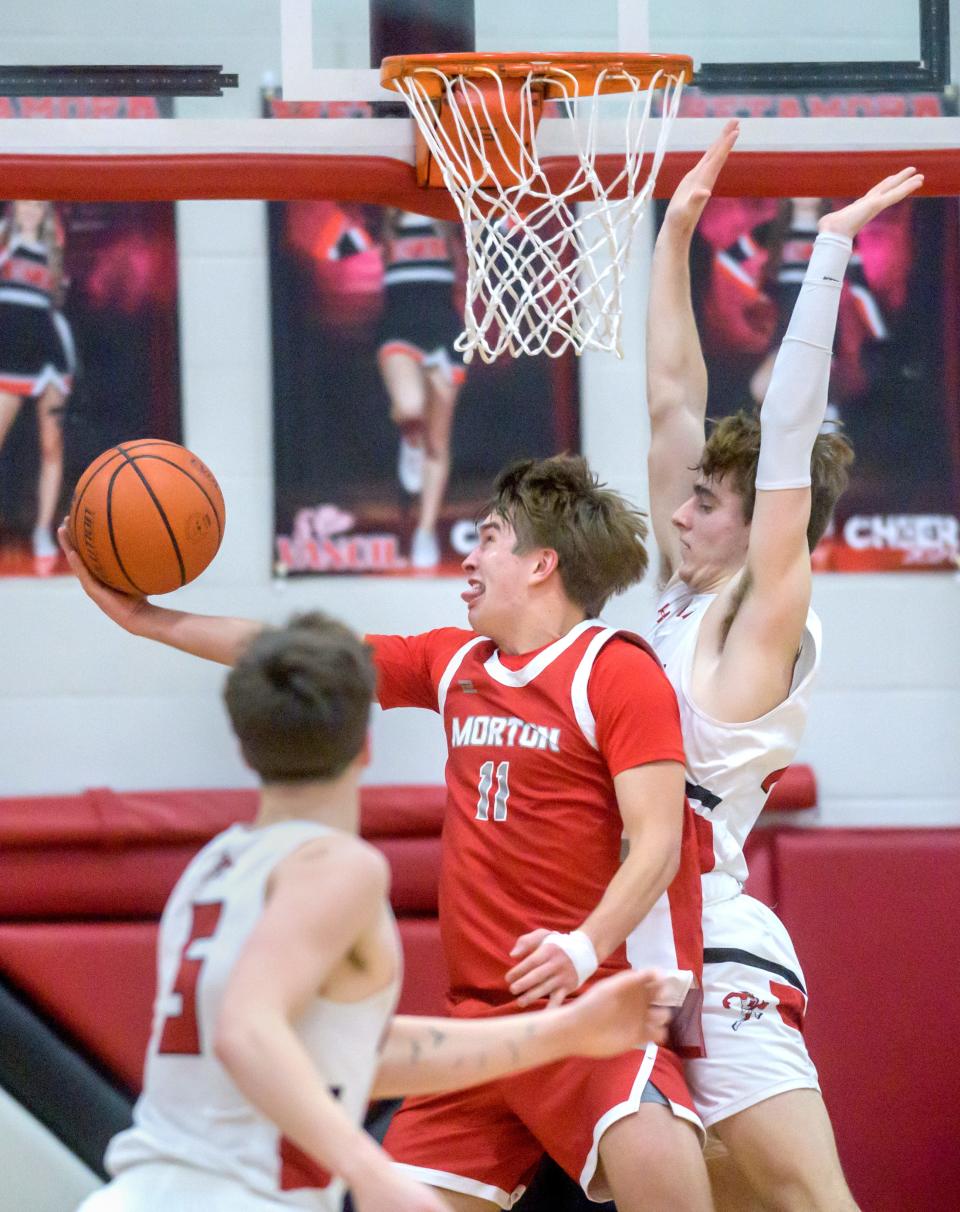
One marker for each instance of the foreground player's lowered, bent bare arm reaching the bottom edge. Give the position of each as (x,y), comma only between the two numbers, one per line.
(322,901)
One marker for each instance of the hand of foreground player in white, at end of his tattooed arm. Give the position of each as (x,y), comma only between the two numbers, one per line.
(620,1013)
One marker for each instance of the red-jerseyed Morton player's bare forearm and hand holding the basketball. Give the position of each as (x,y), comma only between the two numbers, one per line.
(202,636)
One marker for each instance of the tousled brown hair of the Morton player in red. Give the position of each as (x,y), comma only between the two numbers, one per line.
(561,505)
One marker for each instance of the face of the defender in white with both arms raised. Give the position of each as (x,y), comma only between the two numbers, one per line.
(713,535)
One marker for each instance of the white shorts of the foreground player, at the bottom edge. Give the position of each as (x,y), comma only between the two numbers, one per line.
(168,1187)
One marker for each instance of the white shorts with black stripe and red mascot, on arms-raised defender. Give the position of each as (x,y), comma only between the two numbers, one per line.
(755,1001)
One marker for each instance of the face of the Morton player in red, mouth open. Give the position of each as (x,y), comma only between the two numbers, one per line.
(498,580)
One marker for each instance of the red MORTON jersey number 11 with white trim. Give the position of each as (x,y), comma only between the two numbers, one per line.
(533,832)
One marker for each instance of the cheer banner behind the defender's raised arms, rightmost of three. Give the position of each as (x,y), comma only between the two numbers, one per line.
(895,385)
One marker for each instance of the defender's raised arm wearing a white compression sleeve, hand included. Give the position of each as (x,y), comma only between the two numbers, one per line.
(768,628)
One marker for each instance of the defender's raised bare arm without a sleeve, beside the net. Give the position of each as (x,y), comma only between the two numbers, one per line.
(677,374)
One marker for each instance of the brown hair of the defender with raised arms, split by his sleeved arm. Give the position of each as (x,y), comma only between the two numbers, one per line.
(734,448)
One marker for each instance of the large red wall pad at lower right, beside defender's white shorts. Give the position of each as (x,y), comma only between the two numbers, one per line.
(873,916)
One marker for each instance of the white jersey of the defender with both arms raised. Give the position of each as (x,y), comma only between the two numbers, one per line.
(730,768)
